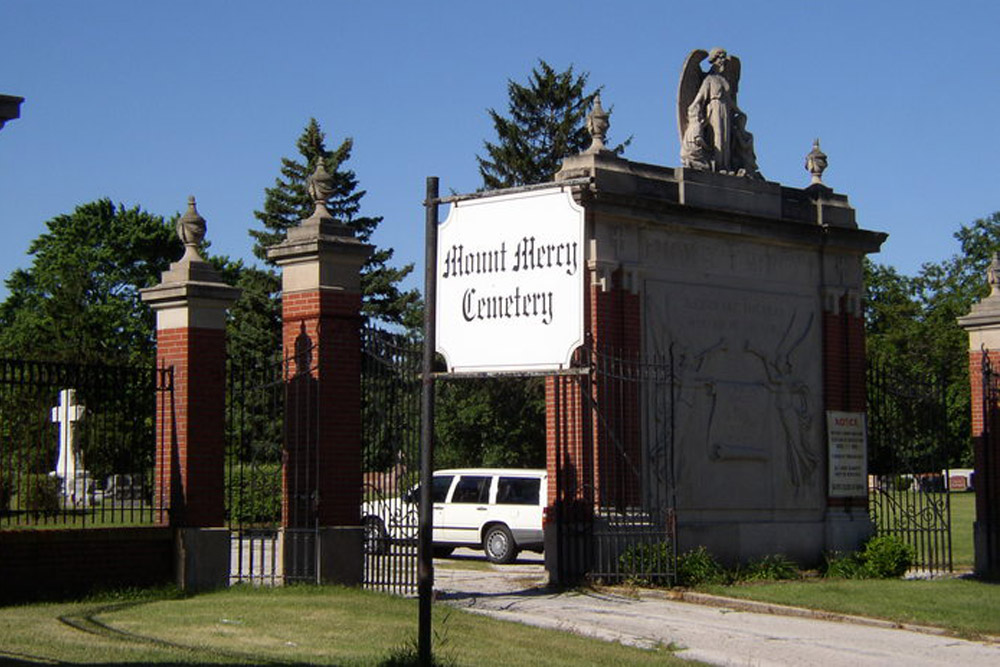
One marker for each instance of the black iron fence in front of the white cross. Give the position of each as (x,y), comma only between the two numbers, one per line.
(77,444)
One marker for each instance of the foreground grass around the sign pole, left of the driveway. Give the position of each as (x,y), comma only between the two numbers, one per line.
(292,625)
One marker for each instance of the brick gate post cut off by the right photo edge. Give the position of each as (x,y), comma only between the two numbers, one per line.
(983,326)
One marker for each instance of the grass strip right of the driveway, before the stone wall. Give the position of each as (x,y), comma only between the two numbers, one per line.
(964,606)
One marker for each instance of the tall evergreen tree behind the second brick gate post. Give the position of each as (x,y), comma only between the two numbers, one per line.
(288,202)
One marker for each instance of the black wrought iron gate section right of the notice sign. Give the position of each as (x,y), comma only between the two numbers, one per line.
(909,448)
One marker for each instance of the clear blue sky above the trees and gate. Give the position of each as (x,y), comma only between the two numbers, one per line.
(148,102)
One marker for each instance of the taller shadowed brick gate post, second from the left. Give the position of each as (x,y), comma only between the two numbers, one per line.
(321,264)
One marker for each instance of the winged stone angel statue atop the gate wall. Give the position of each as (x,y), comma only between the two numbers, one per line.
(712,127)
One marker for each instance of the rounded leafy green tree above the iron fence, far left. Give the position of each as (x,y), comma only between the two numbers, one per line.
(79,300)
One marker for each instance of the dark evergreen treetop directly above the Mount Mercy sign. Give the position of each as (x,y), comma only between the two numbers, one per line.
(546,124)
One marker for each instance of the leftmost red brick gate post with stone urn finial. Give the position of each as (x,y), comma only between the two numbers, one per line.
(190,304)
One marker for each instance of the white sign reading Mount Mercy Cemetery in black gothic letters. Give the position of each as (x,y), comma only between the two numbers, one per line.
(510,277)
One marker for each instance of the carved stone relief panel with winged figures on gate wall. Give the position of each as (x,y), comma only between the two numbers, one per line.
(748,387)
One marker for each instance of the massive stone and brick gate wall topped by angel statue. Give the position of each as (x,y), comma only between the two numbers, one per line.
(753,290)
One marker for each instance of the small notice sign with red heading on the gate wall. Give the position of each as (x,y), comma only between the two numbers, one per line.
(848,447)
